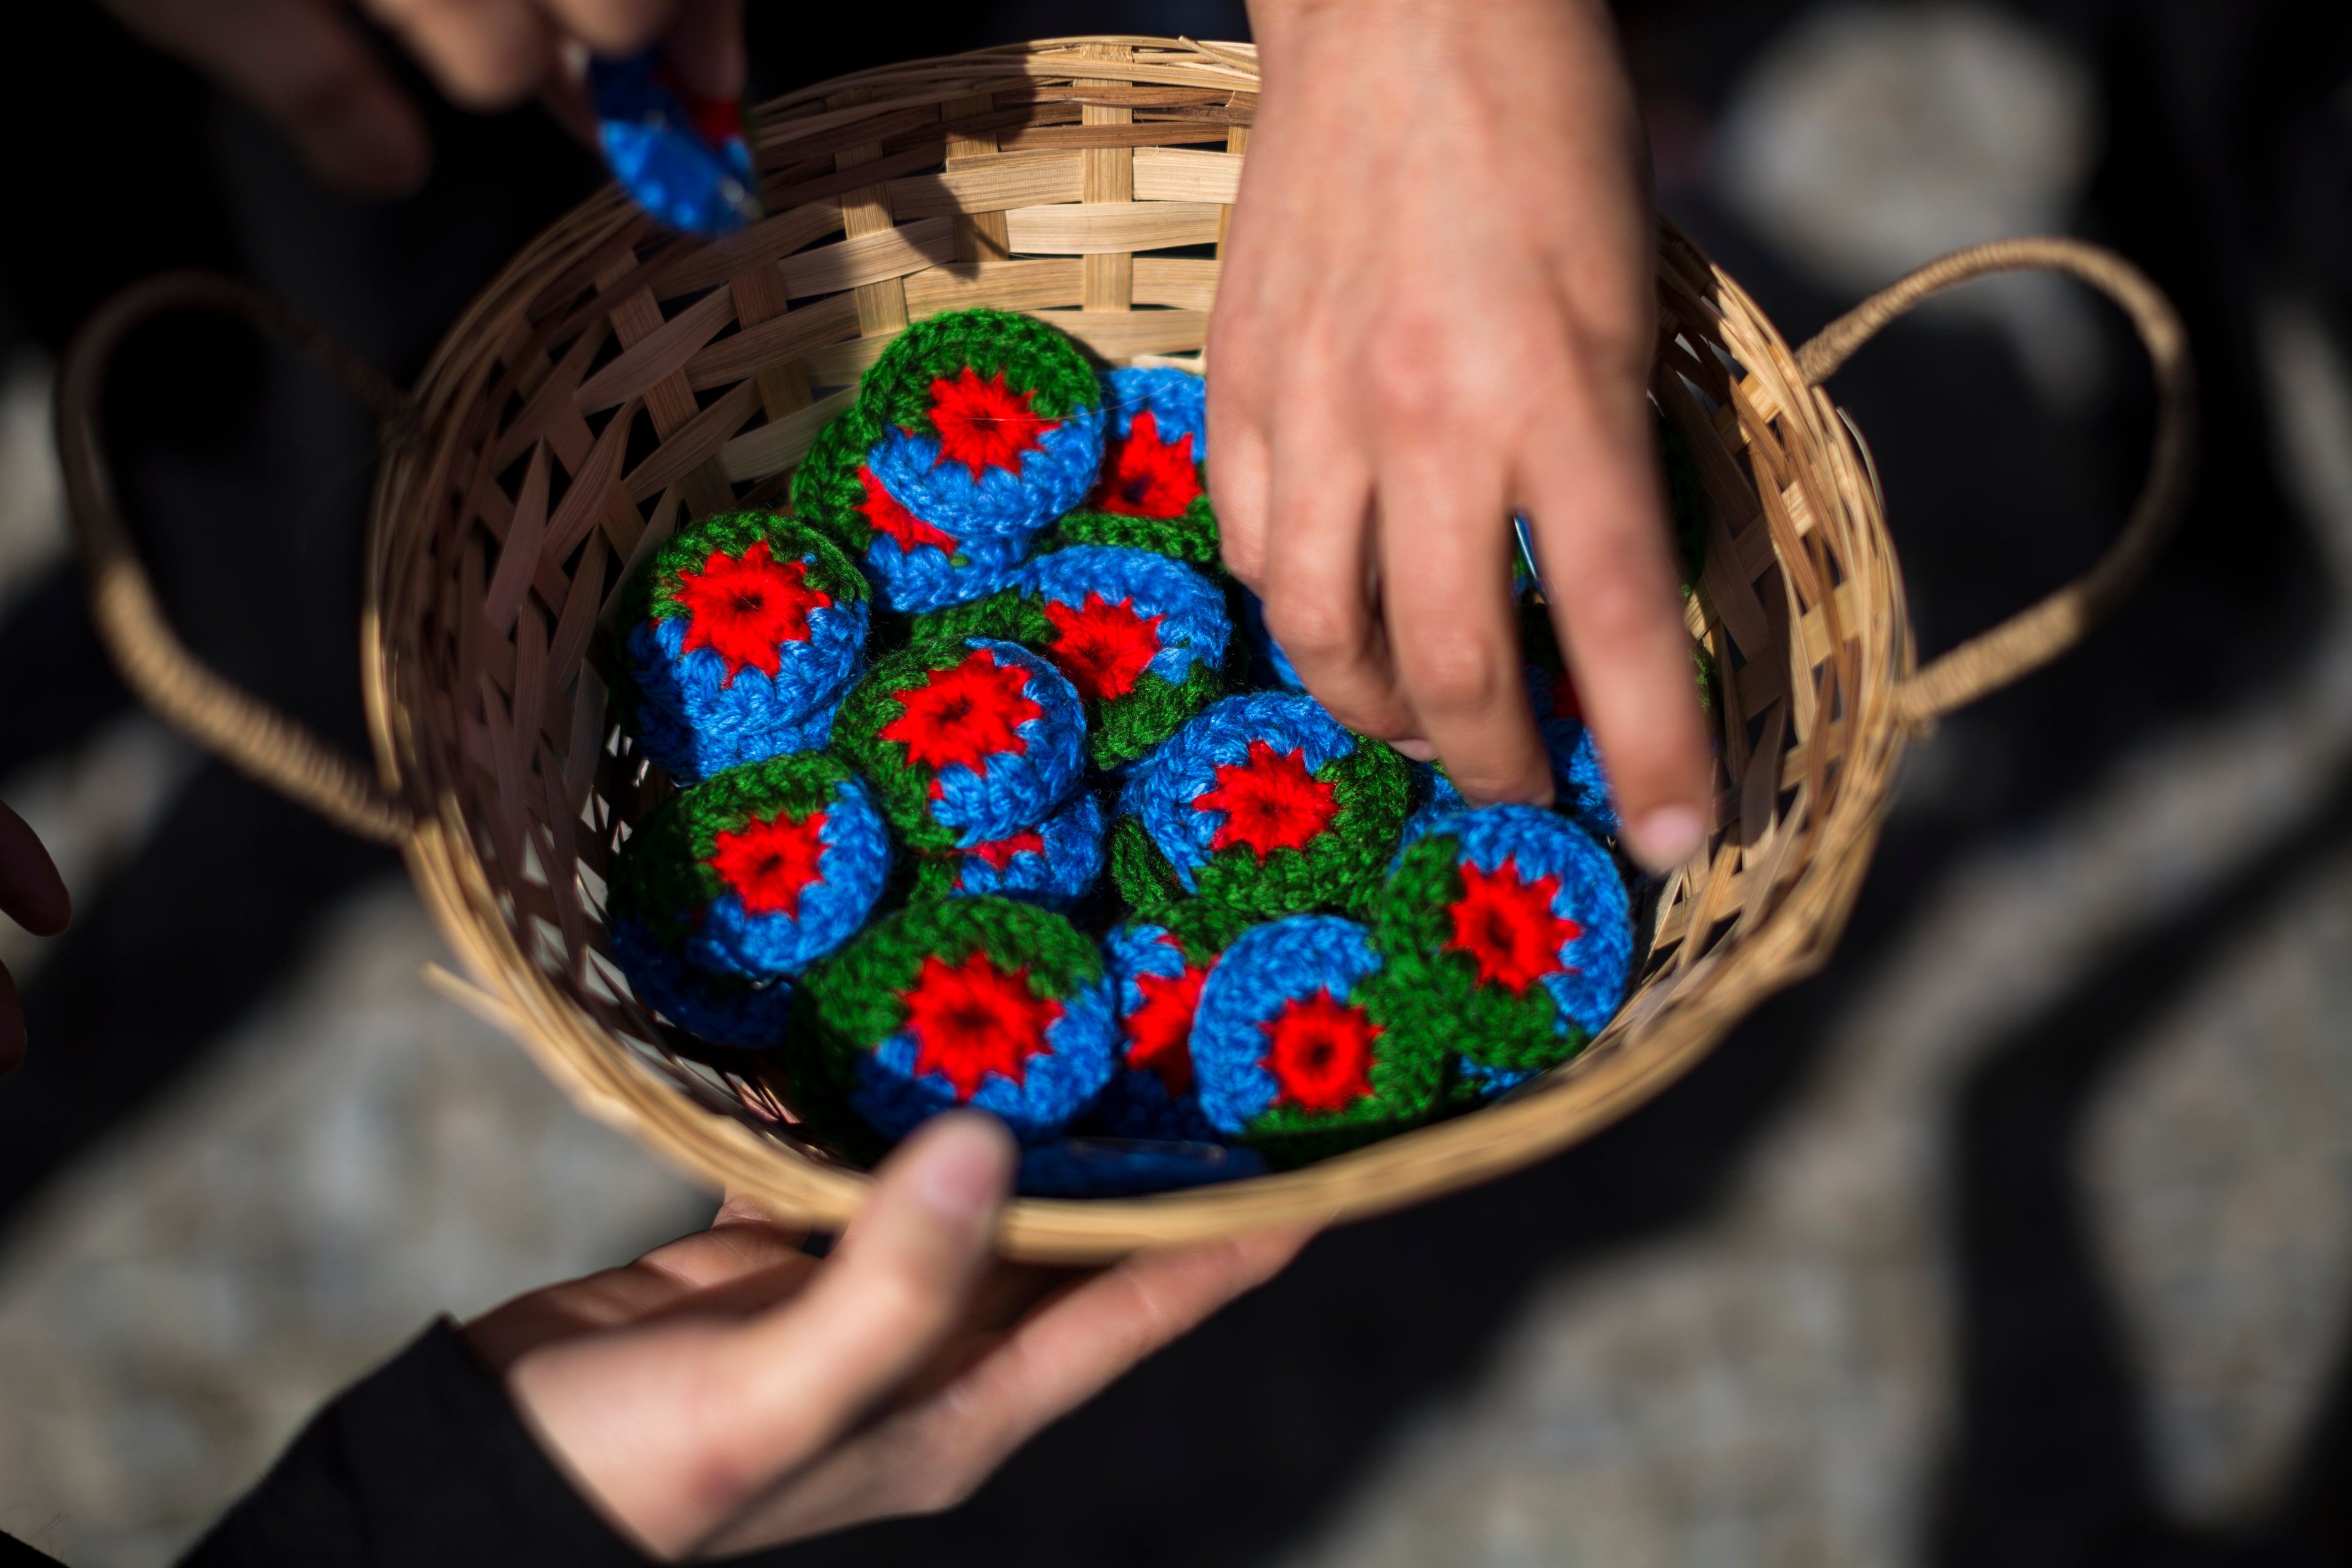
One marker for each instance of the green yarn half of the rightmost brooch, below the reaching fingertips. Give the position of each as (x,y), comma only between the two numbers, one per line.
(1429,993)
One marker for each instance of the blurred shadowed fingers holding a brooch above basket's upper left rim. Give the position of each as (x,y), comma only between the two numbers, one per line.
(312,69)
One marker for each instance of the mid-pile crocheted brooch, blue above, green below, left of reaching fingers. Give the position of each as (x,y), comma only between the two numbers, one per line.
(1142,638)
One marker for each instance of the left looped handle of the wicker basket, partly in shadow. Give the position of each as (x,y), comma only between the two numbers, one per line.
(156,664)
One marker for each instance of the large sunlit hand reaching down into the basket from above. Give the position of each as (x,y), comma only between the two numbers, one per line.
(1436,309)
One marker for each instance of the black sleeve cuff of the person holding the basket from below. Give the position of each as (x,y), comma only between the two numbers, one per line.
(425,1461)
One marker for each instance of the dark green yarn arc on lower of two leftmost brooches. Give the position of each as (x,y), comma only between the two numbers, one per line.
(664,871)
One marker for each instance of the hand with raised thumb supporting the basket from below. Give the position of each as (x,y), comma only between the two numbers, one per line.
(733,1393)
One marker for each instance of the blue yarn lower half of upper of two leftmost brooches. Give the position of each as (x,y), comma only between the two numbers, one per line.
(695,723)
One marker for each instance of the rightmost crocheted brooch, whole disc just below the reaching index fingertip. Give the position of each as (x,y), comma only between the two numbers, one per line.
(1509,942)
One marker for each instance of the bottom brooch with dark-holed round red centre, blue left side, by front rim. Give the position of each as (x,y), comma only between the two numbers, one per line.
(1285,1045)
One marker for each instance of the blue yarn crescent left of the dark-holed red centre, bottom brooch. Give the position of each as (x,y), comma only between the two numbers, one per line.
(1267,967)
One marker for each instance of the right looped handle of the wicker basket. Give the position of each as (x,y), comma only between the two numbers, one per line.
(2050,629)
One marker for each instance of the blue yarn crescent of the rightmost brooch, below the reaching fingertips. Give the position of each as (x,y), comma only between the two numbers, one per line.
(1591,894)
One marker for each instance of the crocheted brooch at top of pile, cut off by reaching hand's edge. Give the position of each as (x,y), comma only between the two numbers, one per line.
(1154,490)
